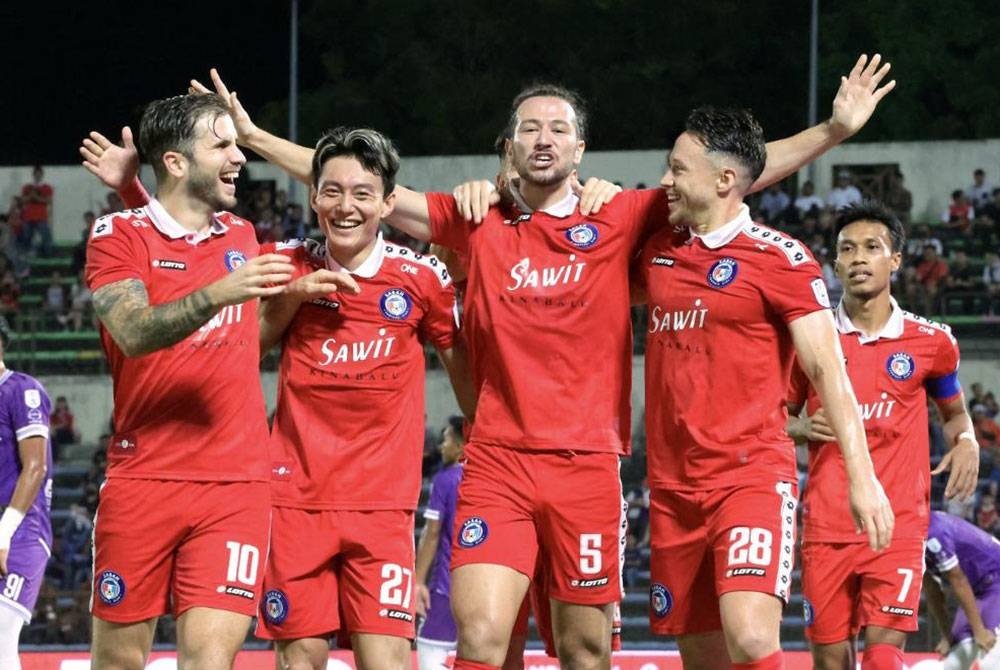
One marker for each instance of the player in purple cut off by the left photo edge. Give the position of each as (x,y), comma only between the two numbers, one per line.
(26,495)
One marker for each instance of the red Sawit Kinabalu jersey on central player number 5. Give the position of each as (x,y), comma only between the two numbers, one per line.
(547,321)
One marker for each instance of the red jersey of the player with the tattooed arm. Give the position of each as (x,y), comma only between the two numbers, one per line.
(194,410)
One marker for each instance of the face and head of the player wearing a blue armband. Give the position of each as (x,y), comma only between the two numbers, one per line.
(865,259)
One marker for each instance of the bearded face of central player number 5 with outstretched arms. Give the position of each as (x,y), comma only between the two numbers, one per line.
(546,147)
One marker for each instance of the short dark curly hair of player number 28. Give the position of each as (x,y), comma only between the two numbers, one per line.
(730,131)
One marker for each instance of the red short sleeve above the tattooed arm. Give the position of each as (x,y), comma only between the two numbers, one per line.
(113,253)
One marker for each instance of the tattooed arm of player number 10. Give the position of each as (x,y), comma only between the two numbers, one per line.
(137,327)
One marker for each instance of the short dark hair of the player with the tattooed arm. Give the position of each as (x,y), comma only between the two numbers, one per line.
(171,125)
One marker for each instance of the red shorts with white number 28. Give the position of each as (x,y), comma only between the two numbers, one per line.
(706,543)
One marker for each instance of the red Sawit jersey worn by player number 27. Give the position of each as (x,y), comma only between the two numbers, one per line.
(349,428)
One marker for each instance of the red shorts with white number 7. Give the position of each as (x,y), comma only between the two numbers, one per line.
(846,586)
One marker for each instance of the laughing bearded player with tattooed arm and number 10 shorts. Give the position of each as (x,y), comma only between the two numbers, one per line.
(175,288)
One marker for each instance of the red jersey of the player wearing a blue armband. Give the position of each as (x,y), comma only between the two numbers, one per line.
(892,373)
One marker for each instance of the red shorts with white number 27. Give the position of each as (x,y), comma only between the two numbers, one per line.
(353,573)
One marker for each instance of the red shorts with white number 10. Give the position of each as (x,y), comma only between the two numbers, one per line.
(166,546)
